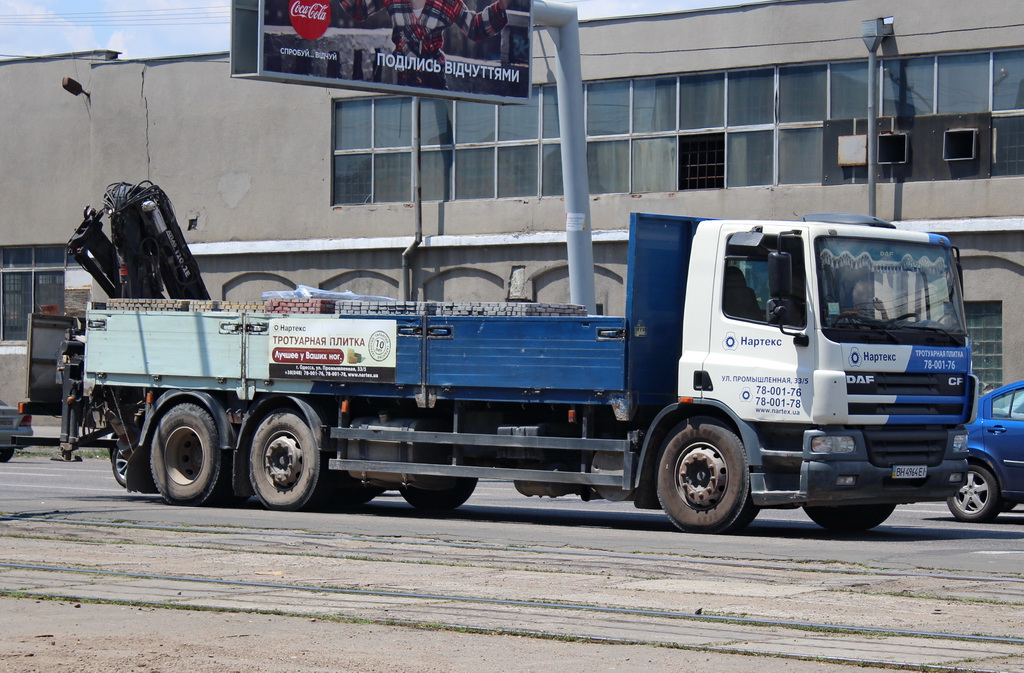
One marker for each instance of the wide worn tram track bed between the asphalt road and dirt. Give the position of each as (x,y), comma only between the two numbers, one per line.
(748,608)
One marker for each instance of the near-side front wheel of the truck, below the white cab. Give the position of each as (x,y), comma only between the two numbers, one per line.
(704,483)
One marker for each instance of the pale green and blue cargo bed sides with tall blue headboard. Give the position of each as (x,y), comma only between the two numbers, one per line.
(563,359)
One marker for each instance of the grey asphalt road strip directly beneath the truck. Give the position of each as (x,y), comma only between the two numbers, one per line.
(921,536)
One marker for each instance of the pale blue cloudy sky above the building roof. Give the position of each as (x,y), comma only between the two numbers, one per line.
(143,29)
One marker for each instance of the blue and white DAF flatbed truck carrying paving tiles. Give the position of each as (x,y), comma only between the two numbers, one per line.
(821,364)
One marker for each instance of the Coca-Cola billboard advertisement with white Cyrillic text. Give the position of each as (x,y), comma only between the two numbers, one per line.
(471,50)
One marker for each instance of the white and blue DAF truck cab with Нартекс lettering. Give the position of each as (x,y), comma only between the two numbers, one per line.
(839,350)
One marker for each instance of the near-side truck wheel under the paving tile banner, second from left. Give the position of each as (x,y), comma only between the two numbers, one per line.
(285,464)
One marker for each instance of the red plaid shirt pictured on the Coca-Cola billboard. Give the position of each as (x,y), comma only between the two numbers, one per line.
(424,36)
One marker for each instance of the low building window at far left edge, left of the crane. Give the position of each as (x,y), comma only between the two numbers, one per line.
(32,281)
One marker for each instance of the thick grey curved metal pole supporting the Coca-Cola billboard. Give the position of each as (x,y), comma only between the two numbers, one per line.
(565,21)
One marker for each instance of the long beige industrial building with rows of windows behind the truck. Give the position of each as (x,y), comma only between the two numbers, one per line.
(754,111)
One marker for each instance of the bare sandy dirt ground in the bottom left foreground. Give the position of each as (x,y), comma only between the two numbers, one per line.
(45,637)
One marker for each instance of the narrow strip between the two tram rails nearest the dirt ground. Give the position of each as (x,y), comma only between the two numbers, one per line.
(661,628)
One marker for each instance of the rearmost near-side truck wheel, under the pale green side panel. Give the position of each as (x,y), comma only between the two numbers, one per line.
(188,465)
